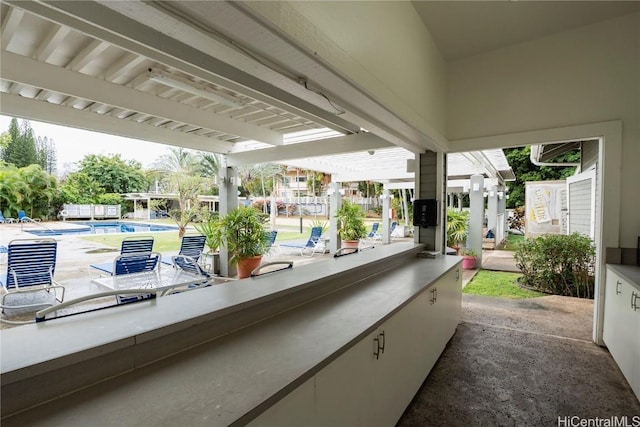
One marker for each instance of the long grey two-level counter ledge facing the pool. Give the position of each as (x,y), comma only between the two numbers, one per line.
(212,356)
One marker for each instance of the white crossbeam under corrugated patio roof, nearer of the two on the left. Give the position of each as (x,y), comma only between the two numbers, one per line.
(21,69)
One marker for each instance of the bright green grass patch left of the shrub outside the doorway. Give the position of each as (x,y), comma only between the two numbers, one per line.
(498,284)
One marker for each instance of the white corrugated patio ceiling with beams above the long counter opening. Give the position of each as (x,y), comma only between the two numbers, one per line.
(167,72)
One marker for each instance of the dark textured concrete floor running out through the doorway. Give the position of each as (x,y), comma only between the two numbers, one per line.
(522,363)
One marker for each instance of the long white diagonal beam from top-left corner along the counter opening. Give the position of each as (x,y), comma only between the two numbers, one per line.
(139,36)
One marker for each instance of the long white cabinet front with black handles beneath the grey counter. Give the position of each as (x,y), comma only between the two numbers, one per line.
(373,382)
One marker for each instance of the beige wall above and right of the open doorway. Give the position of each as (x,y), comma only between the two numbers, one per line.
(582,76)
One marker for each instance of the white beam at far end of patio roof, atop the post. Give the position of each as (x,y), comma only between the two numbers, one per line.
(338,145)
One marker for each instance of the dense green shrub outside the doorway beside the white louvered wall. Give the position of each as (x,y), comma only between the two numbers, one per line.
(558,264)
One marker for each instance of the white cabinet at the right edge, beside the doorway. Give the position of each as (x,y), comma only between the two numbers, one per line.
(622,326)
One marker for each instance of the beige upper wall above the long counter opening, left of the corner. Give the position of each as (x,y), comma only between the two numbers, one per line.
(381,46)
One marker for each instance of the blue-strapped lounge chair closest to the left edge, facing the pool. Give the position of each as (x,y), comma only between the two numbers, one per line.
(30,268)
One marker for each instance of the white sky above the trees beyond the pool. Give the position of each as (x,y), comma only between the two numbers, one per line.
(72,144)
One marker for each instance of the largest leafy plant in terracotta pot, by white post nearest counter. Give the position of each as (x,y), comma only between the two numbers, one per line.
(242,233)
